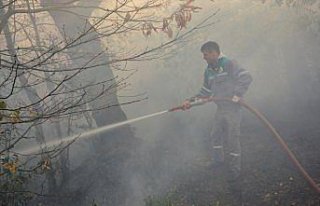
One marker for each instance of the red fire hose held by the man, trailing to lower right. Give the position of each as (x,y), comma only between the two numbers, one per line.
(284,146)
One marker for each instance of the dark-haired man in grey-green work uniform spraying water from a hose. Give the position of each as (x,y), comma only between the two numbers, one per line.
(224,78)
